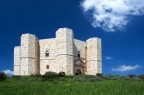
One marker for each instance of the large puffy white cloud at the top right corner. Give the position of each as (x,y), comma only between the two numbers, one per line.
(111,15)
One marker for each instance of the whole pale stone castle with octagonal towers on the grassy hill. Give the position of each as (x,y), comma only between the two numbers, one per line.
(60,54)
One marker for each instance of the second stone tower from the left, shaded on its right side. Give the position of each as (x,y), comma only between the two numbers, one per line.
(29,55)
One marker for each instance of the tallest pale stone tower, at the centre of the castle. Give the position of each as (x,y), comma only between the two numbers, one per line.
(64,50)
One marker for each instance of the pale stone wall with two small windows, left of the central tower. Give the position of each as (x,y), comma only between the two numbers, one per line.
(48,45)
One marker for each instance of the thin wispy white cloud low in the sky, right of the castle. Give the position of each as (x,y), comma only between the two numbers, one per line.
(124,68)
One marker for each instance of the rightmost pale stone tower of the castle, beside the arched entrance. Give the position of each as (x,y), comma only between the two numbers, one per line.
(94,56)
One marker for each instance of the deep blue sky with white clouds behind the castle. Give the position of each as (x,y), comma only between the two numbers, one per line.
(119,23)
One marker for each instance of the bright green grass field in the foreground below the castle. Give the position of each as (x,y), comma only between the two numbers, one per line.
(105,87)
